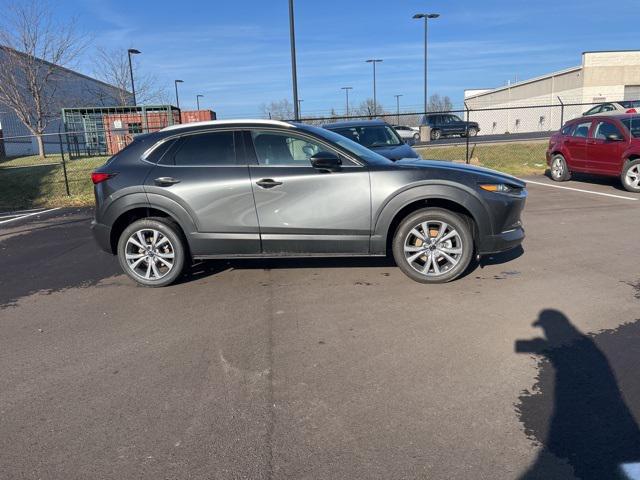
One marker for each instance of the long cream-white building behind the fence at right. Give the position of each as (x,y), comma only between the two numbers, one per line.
(606,76)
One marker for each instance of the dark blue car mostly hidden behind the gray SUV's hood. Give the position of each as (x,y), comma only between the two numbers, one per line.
(376,135)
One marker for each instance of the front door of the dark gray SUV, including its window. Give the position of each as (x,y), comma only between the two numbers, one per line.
(304,210)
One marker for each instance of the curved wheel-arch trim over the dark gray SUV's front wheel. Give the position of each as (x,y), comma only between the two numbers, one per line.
(464,196)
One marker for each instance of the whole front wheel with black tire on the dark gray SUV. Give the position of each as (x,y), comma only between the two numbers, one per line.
(434,219)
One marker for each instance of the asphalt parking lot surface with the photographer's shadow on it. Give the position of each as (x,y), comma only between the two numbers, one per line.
(526,368)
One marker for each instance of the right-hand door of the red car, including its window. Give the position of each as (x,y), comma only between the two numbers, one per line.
(604,156)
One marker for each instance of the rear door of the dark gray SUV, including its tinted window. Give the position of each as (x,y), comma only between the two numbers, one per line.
(204,175)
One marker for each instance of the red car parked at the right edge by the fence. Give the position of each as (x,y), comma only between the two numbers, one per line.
(603,145)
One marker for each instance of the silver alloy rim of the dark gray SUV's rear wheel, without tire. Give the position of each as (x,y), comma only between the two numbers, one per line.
(149,254)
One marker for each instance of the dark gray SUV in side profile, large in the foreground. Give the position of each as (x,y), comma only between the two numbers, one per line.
(247,189)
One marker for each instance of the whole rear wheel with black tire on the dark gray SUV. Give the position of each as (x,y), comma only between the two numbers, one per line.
(160,256)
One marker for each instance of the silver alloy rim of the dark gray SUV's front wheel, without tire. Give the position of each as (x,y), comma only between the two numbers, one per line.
(433,248)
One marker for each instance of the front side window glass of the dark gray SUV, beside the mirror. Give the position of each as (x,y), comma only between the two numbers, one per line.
(281,149)
